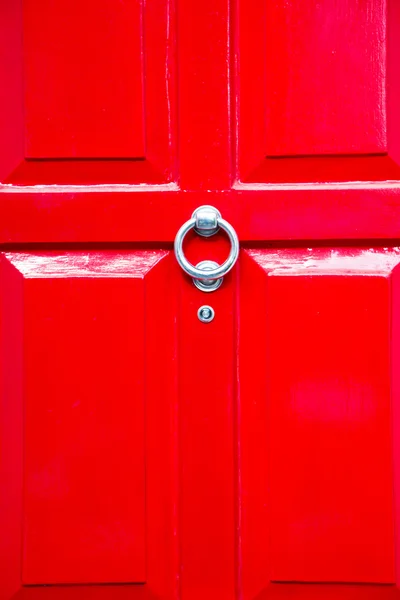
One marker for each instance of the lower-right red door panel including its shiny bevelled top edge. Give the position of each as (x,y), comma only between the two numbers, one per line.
(322,417)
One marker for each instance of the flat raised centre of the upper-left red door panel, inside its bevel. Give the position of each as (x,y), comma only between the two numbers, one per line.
(83,79)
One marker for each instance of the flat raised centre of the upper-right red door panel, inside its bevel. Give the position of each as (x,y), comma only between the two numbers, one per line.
(325,78)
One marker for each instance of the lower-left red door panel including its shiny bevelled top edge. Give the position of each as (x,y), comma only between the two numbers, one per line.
(83,407)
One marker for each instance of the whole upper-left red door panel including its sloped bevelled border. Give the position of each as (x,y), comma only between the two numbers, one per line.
(88,92)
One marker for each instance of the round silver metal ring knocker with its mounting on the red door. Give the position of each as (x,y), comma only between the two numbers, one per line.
(206,221)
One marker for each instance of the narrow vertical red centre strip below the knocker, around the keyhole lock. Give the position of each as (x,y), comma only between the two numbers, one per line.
(206,432)
